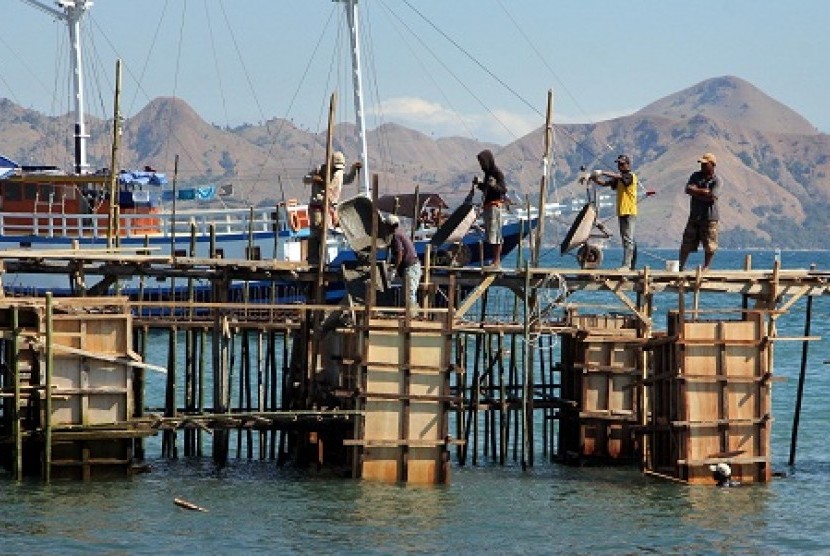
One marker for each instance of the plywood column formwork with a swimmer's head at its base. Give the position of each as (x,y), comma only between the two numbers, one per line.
(711,400)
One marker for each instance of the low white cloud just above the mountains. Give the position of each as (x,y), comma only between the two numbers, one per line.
(432,118)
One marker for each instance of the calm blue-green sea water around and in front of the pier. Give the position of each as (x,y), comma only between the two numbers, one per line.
(255,507)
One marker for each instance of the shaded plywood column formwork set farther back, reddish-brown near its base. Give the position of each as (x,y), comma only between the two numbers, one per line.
(600,360)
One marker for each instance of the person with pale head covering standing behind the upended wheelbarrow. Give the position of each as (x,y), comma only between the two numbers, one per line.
(317,180)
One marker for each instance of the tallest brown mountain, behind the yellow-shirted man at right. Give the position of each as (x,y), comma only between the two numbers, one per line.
(773,163)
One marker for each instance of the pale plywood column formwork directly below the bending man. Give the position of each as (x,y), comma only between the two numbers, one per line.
(404,398)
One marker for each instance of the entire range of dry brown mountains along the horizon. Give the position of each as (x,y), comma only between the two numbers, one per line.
(773,162)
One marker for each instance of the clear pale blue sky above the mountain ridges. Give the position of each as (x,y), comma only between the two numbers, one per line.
(478,69)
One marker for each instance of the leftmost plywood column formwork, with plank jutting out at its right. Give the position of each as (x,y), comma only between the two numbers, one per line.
(76,368)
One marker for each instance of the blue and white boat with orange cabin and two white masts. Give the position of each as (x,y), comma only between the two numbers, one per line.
(42,207)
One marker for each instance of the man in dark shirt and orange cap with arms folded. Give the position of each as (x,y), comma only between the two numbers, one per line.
(703,189)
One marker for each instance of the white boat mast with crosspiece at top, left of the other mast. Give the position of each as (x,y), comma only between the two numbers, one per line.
(73,12)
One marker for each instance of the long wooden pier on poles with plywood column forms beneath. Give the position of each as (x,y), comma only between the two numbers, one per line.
(495,365)
